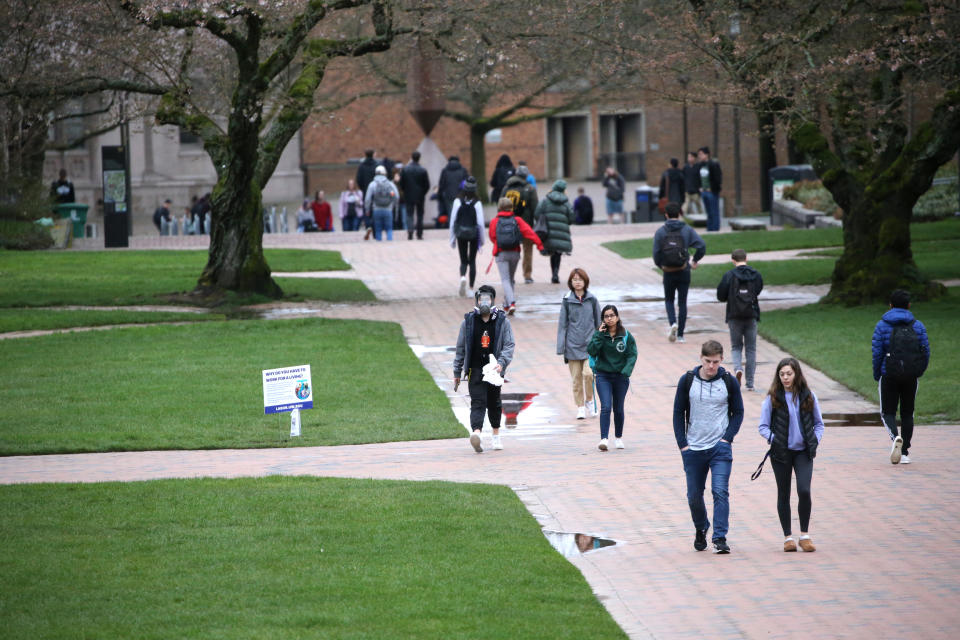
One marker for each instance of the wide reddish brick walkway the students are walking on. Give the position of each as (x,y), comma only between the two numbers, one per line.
(885,565)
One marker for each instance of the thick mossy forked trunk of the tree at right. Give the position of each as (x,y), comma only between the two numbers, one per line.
(877,192)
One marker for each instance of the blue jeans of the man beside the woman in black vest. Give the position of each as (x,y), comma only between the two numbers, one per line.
(718,462)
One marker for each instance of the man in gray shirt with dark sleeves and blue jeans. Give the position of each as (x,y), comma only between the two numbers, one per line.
(707,414)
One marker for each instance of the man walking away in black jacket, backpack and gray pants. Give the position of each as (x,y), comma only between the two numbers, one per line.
(739,288)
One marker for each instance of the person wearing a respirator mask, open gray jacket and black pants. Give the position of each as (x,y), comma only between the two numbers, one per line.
(484,332)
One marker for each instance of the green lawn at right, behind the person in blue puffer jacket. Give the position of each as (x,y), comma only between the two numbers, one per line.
(840,347)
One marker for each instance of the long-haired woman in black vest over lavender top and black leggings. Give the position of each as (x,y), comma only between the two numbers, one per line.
(791,423)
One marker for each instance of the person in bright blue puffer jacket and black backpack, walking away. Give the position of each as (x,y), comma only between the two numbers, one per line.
(901,353)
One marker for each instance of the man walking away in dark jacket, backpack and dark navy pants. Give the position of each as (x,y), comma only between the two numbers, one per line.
(671,252)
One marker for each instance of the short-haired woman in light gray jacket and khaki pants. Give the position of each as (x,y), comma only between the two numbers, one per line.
(579,317)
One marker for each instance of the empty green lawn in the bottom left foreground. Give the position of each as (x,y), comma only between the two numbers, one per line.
(284,558)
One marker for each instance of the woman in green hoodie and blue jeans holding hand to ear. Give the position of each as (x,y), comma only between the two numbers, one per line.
(614,353)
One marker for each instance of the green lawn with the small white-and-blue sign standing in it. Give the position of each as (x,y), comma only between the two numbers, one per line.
(199,386)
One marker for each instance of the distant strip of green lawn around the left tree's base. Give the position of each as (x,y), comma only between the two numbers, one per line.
(49,278)
